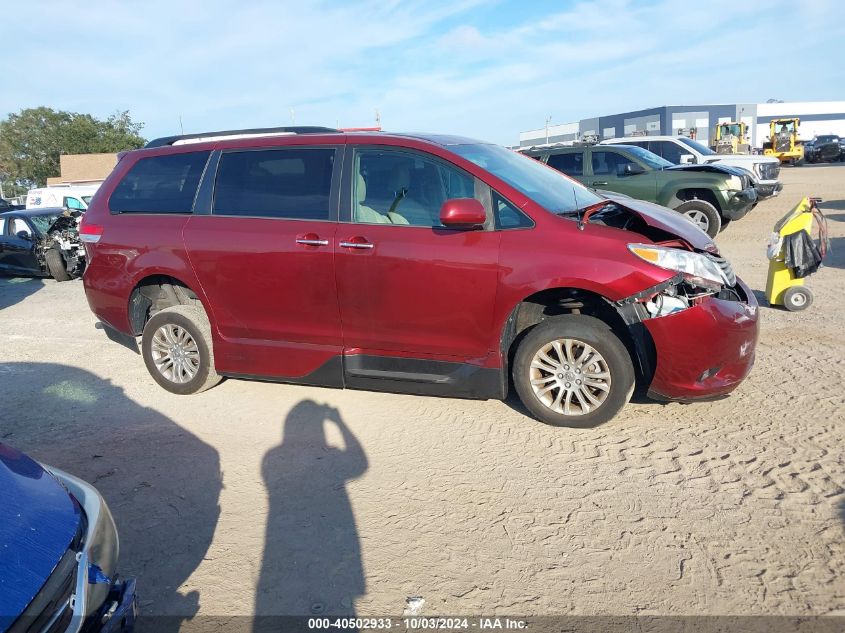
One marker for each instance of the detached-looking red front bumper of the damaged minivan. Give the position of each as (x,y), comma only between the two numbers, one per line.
(705,351)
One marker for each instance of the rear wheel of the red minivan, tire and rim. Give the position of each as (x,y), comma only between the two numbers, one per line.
(178,350)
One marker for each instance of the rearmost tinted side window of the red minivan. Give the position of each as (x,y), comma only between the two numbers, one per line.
(160,184)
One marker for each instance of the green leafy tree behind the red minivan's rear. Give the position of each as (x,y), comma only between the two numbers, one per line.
(32,140)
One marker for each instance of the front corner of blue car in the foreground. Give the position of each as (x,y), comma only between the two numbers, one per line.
(58,553)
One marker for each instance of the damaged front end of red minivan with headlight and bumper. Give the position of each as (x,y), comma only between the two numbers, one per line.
(696,331)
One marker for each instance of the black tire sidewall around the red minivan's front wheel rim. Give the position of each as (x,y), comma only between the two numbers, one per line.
(596,334)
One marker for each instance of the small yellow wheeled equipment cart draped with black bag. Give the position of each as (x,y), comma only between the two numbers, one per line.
(787,270)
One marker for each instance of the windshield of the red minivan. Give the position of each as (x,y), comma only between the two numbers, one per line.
(546,186)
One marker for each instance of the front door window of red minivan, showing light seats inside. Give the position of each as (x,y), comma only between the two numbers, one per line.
(394,187)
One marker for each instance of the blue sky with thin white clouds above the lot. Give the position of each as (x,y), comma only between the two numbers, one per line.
(482,69)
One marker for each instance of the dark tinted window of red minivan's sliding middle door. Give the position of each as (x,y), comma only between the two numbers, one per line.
(292,183)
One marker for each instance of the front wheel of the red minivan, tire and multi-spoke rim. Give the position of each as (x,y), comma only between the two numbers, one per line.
(572,371)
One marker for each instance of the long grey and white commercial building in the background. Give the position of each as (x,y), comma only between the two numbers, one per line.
(699,121)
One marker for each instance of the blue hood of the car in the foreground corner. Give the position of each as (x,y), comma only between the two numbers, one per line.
(38,521)
